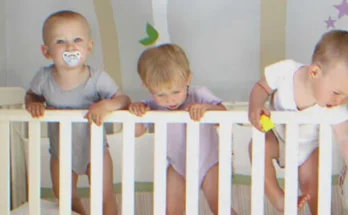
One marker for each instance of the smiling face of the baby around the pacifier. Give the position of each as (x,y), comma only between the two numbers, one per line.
(68,35)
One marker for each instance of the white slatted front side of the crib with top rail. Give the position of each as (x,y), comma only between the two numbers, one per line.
(225,119)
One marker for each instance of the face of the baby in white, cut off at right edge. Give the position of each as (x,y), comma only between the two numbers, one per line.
(331,89)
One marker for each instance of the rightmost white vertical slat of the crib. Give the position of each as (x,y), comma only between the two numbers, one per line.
(325,170)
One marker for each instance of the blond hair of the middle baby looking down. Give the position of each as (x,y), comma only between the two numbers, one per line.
(163,66)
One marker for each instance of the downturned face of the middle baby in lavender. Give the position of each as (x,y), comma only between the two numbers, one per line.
(170,98)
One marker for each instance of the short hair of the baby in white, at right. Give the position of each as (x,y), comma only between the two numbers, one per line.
(331,48)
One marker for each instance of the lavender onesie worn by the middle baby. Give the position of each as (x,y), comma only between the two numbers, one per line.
(176,139)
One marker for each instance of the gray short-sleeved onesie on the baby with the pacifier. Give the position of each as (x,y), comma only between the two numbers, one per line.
(98,86)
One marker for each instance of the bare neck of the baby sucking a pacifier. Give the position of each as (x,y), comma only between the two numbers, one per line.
(70,79)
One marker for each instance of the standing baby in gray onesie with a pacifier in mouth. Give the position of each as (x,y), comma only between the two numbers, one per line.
(71,84)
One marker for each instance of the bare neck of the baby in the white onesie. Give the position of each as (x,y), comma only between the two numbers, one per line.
(303,90)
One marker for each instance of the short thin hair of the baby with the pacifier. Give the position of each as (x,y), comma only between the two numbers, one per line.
(62,14)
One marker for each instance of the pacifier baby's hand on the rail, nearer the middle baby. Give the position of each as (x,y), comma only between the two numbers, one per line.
(97,112)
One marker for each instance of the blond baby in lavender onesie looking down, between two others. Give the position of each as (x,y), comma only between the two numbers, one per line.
(165,72)
